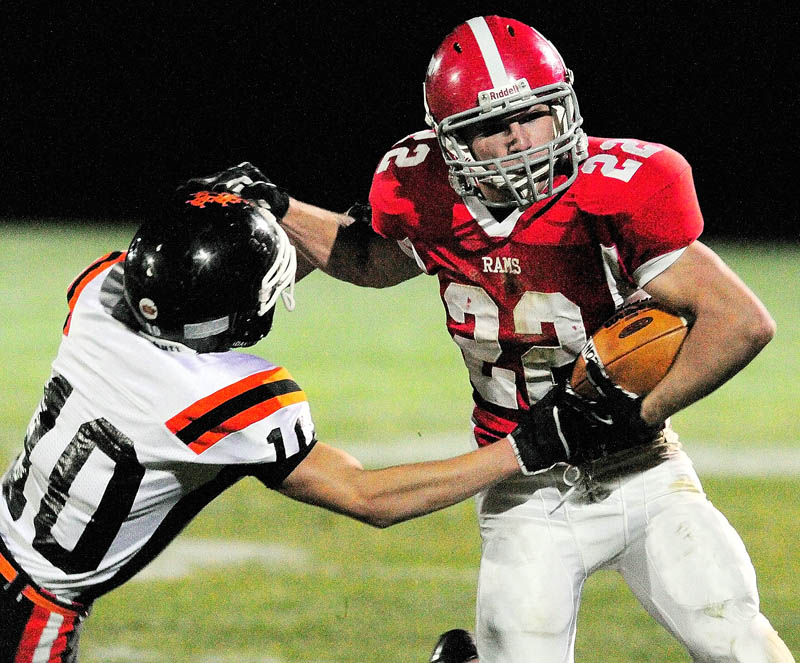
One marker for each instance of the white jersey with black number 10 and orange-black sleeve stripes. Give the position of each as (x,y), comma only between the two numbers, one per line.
(132,439)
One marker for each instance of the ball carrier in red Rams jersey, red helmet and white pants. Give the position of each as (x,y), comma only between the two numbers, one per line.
(536,233)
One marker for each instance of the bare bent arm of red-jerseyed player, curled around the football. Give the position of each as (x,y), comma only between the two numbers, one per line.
(730,328)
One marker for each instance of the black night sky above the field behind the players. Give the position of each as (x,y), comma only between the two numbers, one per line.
(104,109)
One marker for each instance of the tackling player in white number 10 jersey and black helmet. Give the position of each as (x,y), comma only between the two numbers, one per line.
(148,415)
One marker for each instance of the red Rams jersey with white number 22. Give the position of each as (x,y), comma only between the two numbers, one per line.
(524,292)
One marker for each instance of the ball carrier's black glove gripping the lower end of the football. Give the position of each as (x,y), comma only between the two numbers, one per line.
(617,414)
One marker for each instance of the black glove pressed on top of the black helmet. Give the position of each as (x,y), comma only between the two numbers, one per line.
(246,181)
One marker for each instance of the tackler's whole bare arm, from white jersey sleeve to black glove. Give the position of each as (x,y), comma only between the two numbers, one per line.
(333,479)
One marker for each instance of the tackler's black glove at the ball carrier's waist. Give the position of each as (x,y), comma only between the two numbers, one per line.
(556,429)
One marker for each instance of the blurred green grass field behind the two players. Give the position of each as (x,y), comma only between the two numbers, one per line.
(379,367)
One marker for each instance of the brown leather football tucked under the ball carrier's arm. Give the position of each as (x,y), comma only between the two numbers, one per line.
(637,346)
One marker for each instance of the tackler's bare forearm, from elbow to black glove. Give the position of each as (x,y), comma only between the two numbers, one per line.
(395,494)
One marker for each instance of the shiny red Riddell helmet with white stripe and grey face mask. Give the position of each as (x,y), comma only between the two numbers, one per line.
(489,67)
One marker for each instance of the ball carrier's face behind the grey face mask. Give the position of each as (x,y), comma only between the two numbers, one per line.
(503,136)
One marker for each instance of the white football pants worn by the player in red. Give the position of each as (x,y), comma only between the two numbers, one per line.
(677,553)
